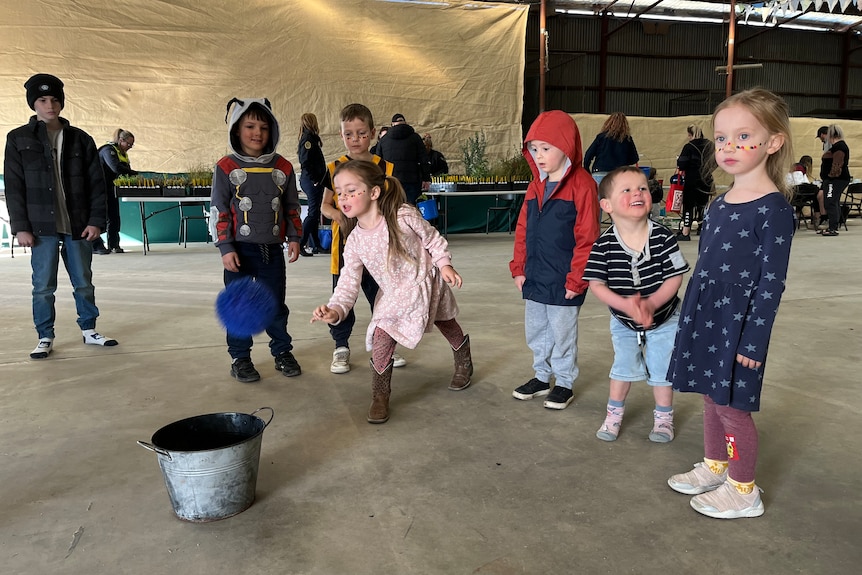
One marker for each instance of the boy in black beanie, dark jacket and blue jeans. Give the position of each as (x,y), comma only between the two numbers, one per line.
(55,191)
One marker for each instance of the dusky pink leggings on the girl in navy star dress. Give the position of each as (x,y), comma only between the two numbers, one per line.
(729,434)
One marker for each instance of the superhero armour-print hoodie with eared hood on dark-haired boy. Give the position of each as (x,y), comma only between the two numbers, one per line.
(254,200)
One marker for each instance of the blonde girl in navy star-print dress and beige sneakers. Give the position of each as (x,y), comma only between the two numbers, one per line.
(732,299)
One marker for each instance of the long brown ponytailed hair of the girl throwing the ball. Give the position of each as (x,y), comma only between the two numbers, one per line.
(391,199)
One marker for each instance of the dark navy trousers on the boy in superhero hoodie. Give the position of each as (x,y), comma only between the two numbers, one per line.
(265,263)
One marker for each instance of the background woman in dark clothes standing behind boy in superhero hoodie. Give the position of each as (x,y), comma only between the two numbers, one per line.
(312,174)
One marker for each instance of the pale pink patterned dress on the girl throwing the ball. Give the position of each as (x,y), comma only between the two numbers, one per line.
(411,297)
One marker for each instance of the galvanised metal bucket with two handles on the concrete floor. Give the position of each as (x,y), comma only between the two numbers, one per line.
(210,462)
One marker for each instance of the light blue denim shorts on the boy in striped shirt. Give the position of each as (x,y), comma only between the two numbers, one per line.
(640,356)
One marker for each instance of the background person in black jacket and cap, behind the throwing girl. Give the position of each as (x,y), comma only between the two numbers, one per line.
(404,148)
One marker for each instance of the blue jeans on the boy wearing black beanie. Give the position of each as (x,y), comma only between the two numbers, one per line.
(45,261)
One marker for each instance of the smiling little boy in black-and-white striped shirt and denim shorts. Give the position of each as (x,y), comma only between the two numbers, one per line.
(636,268)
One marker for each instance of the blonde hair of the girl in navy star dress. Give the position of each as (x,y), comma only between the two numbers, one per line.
(773,113)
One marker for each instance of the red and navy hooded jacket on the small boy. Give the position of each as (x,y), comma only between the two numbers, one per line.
(554,235)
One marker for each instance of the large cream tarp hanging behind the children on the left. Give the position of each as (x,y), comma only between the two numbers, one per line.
(165,69)
